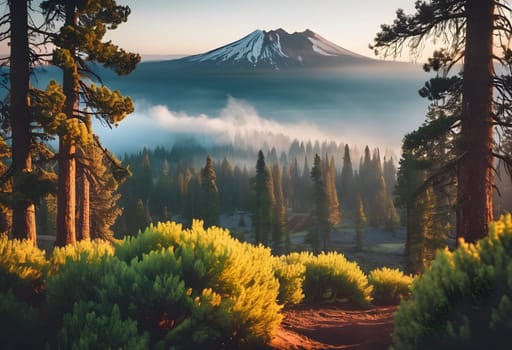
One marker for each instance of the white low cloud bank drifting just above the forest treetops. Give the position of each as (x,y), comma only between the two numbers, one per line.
(238,123)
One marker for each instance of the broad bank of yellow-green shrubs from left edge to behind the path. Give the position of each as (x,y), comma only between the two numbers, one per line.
(165,288)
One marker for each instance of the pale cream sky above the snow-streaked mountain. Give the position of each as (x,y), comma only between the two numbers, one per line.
(195,26)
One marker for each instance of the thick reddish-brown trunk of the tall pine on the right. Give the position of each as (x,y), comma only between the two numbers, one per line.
(475,176)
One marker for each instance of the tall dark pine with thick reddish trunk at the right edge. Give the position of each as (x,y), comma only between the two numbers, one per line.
(469,28)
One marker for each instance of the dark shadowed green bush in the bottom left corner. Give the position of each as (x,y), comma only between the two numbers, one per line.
(19,324)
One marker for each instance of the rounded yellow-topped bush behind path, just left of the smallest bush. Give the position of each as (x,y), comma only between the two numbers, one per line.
(330,276)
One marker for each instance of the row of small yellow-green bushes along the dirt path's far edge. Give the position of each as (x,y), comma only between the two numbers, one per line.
(331,277)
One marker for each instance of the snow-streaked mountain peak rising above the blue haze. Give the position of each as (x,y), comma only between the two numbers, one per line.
(279,49)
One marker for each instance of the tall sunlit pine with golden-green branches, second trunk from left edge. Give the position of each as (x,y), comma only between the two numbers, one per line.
(80,39)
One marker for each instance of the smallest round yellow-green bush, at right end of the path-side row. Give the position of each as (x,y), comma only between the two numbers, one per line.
(389,286)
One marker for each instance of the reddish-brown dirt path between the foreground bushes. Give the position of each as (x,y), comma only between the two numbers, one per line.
(334,328)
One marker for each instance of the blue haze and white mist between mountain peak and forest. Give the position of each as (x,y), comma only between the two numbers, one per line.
(377,107)
